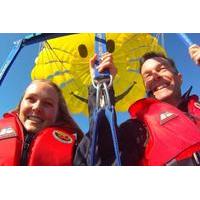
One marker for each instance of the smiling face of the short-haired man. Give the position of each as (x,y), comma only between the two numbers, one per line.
(161,80)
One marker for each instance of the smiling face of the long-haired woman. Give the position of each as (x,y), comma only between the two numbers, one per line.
(39,107)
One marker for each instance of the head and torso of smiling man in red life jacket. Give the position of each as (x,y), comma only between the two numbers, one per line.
(173,138)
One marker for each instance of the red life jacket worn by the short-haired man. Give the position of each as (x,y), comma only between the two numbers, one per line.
(172,135)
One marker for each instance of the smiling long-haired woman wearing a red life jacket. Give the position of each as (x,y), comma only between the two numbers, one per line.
(40,131)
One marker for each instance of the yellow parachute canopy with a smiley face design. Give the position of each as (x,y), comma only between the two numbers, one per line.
(65,61)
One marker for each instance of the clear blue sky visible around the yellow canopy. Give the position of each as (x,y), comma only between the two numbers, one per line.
(18,77)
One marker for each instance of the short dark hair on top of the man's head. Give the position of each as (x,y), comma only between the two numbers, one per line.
(153,54)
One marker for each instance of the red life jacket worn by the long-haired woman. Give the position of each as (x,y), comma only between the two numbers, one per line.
(51,146)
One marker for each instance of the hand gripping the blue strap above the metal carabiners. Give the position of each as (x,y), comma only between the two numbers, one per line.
(106,63)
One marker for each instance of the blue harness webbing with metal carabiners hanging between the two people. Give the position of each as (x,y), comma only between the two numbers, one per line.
(103,104)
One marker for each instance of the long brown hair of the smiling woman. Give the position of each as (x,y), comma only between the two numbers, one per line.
(64,118)
